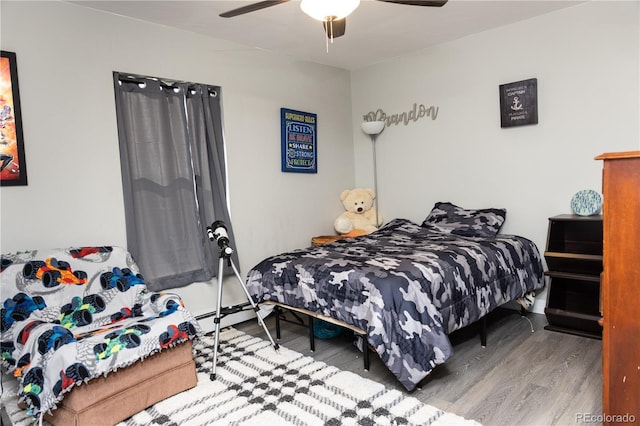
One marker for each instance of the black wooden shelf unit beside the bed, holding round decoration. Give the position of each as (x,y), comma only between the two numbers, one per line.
(574,261)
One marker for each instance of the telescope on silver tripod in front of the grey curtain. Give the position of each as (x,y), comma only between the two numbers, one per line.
(225,253)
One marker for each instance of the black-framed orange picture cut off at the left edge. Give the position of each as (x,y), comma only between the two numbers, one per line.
(13,168)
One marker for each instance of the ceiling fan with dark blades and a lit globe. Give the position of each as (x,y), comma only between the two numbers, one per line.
(332,13)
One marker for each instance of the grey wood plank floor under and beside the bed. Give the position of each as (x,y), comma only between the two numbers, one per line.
(520,378)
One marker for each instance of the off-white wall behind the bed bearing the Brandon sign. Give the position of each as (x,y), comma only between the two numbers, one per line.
(586,59)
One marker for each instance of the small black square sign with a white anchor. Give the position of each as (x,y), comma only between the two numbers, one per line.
(519,103)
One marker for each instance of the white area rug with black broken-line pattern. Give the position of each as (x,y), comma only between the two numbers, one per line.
(260,386)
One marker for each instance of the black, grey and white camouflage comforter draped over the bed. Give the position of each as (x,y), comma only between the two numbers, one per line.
(407,286)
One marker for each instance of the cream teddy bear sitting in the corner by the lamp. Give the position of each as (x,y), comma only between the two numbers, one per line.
(360,216)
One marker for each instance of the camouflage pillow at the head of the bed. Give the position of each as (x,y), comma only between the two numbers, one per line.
(450,219)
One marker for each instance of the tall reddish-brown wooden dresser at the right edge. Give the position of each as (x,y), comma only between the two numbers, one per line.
(620,284)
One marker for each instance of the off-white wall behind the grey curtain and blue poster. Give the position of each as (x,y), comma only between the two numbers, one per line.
(66,55)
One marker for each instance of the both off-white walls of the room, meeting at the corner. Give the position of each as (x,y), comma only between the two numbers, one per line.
(585,59)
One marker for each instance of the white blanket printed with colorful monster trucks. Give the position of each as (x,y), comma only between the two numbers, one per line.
(70,315)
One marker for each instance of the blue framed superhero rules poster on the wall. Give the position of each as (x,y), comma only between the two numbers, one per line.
(299,141)
